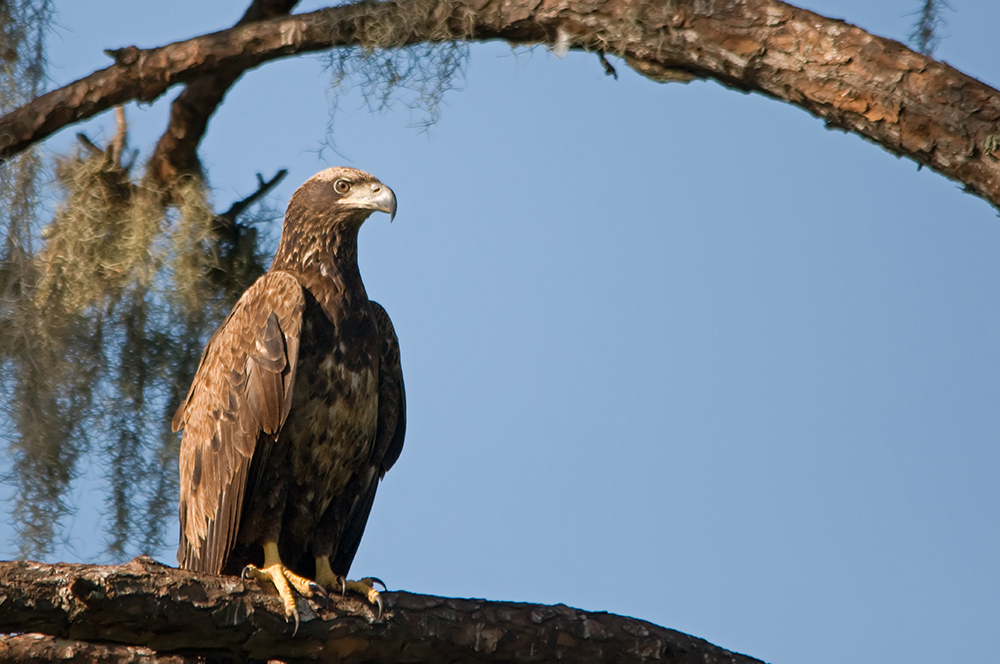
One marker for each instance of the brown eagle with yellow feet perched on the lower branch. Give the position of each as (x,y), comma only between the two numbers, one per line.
(297,409)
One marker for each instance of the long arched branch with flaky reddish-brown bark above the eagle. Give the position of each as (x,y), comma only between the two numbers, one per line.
(907,103)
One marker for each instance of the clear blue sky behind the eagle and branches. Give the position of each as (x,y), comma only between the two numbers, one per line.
(671,351)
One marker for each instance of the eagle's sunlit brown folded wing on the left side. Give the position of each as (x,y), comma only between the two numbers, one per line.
(240,396)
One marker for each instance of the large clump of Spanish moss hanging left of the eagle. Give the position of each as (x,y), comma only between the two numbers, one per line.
(106,322)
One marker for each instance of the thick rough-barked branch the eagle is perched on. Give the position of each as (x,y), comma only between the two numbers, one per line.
(144,609)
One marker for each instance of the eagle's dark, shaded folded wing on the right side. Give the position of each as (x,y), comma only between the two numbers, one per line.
(390,431)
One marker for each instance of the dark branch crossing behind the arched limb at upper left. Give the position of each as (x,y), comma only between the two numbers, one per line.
(176,152)
